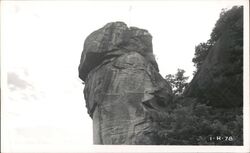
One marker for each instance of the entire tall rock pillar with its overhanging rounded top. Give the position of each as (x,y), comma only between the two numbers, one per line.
(123,88)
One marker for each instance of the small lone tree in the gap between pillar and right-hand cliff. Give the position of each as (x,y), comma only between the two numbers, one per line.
(178,81)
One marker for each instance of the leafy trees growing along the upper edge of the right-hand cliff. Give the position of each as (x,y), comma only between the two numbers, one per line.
(230,21)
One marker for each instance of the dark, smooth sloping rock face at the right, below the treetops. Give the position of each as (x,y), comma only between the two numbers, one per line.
(219,82)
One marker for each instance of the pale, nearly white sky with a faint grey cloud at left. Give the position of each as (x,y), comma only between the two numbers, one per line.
(41,45)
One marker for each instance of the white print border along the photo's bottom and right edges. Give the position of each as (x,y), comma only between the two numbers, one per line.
(127,148)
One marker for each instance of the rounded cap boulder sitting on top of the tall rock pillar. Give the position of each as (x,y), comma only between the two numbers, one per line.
(113,40)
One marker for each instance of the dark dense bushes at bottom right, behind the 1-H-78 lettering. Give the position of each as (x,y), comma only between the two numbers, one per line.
(192,123)
